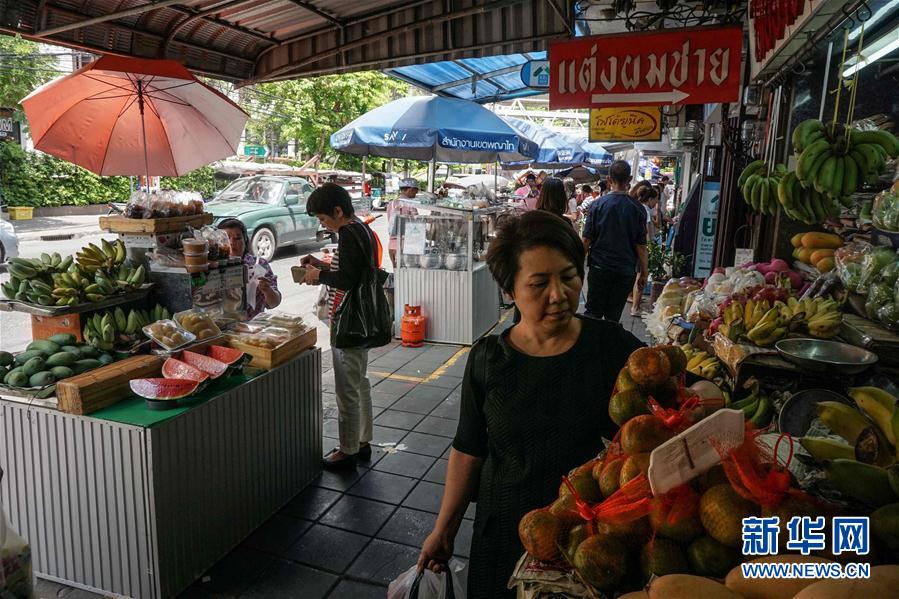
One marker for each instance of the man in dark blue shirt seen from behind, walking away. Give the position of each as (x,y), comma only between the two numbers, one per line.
(615,239)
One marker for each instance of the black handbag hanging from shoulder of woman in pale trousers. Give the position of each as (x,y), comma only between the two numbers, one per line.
(363,317)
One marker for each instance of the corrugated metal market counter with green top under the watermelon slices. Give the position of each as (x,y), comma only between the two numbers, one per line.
(138,502)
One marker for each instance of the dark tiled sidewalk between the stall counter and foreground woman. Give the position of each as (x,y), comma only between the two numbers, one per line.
(349,534)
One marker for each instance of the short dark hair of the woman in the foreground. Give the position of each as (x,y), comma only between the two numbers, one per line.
(536,228)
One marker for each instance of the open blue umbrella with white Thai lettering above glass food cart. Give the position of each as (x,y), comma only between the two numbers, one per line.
(434,128)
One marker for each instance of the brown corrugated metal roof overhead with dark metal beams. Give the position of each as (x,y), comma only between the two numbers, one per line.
(266,40)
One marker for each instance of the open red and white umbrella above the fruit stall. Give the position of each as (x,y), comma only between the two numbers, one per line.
(127,116)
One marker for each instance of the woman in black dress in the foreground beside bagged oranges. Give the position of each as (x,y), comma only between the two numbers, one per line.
(534,400)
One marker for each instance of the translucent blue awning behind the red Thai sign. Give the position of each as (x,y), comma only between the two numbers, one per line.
(489,79)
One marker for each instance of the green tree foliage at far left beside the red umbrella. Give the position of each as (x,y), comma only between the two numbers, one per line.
(22,69)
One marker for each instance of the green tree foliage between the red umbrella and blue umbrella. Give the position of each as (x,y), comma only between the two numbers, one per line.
(310,110)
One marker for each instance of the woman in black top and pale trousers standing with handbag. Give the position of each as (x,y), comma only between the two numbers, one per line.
(357,248)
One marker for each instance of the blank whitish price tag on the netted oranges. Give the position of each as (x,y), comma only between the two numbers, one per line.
(689,454)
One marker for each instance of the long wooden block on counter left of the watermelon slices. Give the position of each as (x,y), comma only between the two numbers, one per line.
(104,386)
